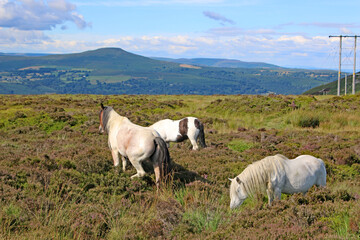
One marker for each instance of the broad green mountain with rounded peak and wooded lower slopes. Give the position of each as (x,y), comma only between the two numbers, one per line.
(115,71)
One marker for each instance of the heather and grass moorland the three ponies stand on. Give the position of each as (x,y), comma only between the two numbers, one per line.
(57,180)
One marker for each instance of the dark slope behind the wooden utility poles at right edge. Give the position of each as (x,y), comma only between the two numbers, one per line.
(331,88)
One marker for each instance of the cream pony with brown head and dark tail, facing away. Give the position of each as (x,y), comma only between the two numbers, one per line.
(134,143)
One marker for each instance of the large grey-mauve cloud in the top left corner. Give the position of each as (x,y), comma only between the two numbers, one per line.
(38,15)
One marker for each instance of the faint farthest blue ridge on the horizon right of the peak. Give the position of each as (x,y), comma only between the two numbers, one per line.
(218,62)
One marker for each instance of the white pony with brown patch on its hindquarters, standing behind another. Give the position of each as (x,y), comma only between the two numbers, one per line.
(178,130)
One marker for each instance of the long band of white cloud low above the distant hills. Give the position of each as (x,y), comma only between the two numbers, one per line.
(191,45)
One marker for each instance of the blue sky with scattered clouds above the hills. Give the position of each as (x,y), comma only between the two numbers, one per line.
(282,32)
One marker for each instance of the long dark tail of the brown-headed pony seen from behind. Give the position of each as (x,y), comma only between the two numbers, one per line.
(161,158)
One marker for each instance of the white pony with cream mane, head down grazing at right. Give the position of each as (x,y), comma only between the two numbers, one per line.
(277,174)
